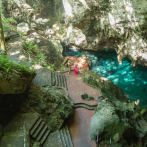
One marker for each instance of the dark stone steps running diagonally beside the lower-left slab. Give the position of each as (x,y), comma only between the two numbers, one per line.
(39,131)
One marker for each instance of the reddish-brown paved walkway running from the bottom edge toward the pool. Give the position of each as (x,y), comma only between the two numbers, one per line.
(79,125)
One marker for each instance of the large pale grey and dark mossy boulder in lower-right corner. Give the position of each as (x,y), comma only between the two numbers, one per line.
(120,122)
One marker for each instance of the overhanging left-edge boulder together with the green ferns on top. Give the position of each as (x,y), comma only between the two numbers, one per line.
(14,78)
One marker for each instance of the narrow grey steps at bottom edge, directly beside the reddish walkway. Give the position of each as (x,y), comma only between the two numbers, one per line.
(65,137)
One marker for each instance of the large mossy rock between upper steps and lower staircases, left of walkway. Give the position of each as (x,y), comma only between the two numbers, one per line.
(51,104)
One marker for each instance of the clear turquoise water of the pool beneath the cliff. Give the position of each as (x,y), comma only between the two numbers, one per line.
(132,81)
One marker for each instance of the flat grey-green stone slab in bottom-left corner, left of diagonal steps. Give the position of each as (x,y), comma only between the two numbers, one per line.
(14,131)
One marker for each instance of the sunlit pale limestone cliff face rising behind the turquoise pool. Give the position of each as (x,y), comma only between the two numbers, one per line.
(92,24)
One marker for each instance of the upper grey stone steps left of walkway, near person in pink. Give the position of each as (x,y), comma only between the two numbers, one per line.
(58,80)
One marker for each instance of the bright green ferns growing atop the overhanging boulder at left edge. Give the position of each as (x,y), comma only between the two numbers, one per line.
(7,65)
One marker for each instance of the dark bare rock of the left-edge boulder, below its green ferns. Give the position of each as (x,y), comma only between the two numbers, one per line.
(15,81)
